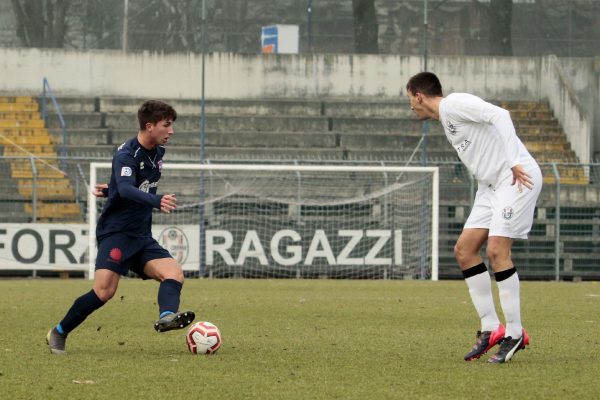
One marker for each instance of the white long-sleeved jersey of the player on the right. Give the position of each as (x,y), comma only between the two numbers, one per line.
(484,137)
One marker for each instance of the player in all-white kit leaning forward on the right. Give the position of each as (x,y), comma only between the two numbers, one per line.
(509,183)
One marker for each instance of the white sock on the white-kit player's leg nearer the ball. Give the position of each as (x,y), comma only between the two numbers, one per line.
(480,289)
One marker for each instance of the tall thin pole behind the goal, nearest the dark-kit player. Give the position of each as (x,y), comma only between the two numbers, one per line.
(201,209)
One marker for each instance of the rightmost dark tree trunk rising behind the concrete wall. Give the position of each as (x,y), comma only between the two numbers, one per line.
(500,27)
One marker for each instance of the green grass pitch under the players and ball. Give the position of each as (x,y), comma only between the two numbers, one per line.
(298,339)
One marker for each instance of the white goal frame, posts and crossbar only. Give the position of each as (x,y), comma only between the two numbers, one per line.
(94,166)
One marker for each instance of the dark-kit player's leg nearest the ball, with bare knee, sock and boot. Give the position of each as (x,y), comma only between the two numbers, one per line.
(170,275)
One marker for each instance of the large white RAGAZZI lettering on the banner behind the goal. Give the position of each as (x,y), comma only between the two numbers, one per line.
(286,248)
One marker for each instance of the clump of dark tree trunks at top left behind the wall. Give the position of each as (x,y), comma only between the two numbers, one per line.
(41,23)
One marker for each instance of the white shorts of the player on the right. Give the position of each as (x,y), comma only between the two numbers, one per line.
(505,211)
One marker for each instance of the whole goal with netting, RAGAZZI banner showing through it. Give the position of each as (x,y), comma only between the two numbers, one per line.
(290,221)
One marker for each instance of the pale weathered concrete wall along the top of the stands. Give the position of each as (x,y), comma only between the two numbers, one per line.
(103,73)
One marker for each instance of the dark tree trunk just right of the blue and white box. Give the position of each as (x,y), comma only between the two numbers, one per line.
(365,26)
